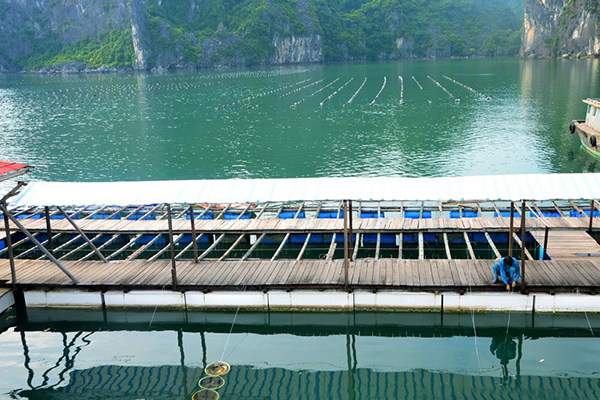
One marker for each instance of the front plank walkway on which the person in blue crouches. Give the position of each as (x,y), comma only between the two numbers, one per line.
(432,275)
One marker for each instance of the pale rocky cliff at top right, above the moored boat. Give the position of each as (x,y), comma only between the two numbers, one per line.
(561,28)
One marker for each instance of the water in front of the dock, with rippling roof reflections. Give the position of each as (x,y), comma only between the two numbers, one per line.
(68,354)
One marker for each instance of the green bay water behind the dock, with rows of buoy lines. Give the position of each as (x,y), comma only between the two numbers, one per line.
(185,125)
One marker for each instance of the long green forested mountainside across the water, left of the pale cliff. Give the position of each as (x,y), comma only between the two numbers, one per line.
(75,35)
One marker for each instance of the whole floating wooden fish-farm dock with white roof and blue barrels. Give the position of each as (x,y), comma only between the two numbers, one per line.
(313,253)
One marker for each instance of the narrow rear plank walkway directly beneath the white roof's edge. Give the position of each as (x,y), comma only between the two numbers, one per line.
(253,226)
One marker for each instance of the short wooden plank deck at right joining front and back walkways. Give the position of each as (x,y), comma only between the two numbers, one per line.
(569,245)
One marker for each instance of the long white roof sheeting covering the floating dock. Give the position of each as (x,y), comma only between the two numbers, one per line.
(490,187)
